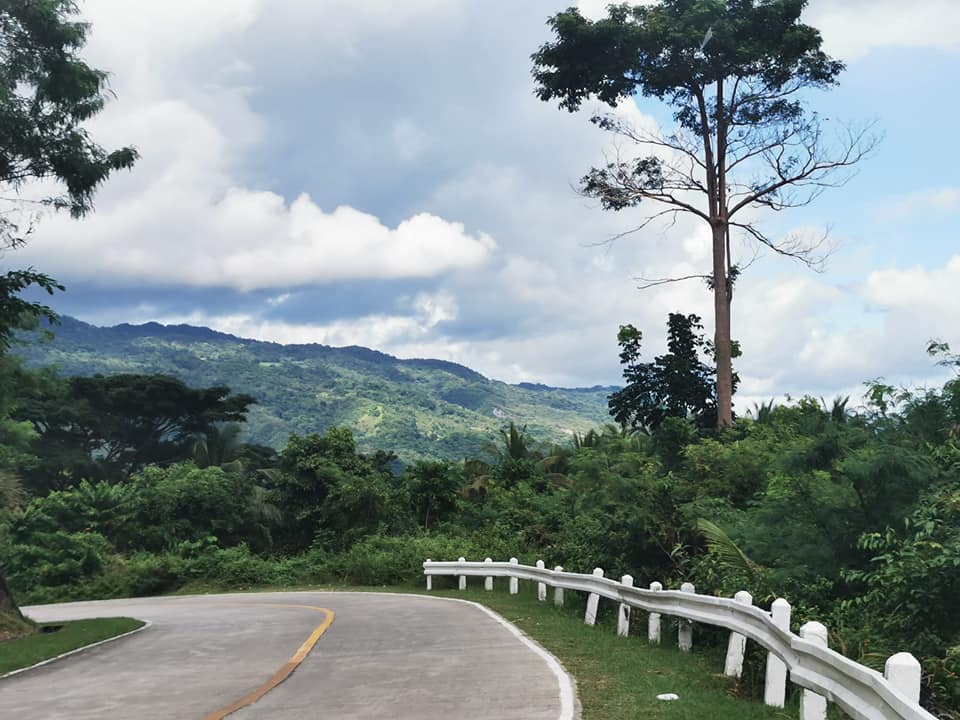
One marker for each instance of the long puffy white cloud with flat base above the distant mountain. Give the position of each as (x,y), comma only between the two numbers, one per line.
(245,240)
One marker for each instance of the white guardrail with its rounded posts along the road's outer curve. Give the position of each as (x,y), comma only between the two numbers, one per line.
(861,692)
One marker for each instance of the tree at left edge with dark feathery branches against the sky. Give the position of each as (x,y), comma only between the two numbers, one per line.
(47,92)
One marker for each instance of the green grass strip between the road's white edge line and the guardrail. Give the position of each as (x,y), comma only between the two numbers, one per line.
(620,678)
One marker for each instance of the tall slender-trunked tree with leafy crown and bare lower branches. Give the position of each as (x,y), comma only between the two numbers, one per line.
(735,73)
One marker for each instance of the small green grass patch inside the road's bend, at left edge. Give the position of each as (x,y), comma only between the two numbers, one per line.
(50,641)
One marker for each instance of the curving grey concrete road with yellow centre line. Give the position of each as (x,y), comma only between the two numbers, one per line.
(384,655)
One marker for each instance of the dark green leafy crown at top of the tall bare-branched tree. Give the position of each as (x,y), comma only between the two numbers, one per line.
(650,49)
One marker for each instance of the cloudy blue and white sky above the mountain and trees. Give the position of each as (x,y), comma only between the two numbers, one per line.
(380,173)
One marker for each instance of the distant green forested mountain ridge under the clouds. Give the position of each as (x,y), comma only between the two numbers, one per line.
(416,408)
